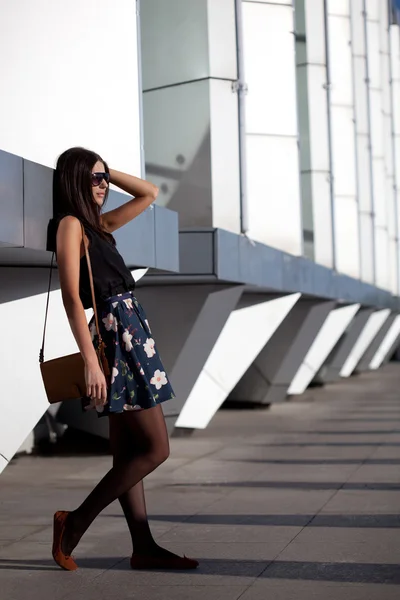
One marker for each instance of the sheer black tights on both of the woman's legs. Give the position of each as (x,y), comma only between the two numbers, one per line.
(139,444)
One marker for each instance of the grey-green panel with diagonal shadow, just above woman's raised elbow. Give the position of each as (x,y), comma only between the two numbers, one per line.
(177,148)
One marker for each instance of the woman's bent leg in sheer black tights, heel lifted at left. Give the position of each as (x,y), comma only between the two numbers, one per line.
(148,429)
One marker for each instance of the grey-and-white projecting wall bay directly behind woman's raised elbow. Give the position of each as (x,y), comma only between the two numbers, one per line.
(190,110)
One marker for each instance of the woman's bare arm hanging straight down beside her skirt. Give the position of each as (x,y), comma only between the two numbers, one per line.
(69,238)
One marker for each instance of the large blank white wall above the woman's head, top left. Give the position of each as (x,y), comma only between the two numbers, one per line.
(69,77)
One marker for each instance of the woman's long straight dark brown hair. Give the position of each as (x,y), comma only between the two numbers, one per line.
(72,188)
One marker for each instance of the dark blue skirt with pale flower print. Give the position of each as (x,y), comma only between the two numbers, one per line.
(138,378)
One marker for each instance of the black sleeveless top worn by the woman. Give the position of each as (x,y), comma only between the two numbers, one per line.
(111,276)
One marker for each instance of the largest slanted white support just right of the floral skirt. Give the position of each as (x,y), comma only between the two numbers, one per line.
(231,356)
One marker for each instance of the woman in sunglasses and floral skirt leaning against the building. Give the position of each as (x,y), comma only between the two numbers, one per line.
(137,383)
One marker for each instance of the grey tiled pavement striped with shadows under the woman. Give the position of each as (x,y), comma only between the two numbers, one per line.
(301,501)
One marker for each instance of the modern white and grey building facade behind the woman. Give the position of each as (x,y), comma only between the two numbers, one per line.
(271,258)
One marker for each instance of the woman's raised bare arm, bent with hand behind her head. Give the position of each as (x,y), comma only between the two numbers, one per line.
(144,194)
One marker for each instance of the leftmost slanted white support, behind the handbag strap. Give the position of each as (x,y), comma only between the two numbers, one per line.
(22,396)
